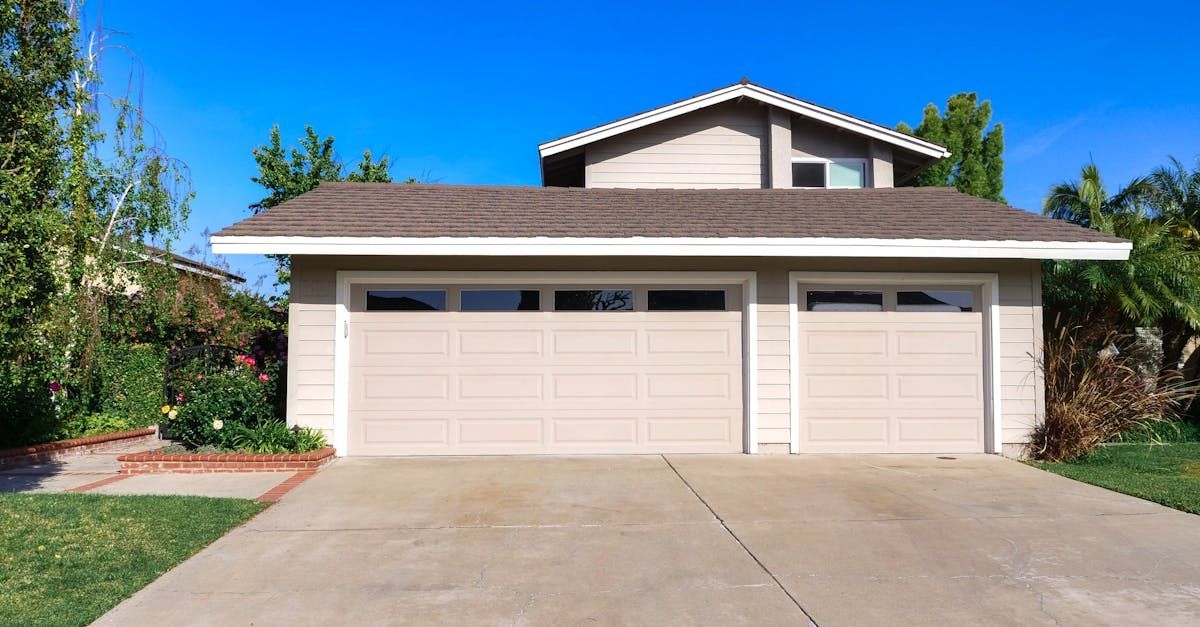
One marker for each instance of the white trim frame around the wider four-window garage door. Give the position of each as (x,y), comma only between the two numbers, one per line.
(748,280)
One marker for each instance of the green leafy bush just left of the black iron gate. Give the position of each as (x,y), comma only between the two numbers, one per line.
(133,384)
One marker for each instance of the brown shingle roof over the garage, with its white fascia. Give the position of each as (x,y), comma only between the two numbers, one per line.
(386,219)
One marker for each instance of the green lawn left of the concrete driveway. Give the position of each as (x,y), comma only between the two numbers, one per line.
(68,559)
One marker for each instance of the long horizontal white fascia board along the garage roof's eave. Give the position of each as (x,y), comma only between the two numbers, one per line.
(671,248)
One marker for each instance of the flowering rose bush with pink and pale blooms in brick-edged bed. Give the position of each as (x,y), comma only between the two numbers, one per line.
(219,403)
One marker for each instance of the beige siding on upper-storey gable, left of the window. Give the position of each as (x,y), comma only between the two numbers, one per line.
(719,147)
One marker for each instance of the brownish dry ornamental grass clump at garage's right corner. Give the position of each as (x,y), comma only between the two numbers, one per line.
(1093,396)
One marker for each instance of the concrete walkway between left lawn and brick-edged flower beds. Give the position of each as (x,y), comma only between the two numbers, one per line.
(97,473)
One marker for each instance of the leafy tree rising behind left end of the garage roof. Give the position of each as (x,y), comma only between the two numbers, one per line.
(290,172)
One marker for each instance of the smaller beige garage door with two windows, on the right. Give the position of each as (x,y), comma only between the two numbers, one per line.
(891,371)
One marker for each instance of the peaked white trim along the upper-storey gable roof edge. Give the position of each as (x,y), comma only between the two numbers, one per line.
(795,106)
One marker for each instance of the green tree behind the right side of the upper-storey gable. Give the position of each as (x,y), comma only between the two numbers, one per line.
(976,165)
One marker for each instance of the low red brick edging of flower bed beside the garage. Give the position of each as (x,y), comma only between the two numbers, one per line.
(190,463)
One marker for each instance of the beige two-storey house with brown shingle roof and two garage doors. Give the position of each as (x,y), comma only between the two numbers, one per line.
(736,272)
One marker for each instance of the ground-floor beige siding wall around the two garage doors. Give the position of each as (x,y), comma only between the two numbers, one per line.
(313,333)
